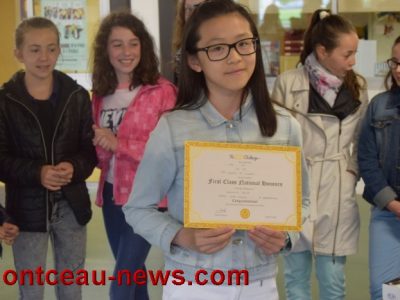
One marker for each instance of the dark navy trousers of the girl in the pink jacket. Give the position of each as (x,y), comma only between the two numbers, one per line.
(129,249)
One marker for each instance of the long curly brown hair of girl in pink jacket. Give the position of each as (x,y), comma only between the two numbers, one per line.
(146,72)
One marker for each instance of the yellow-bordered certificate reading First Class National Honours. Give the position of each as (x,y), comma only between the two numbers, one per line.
(242,185)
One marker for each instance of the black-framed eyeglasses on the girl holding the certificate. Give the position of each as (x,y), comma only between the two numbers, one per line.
(221,51)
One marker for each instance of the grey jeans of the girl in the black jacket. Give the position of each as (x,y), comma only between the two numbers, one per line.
(68,240)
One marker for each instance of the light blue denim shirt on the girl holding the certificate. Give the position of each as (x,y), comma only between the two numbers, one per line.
(161,173)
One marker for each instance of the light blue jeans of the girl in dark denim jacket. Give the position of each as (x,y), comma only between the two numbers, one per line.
(384,249)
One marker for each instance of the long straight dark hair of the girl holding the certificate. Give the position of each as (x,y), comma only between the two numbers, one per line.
(193,84)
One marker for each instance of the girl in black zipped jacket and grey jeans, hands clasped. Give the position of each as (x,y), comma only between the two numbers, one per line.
(46,153)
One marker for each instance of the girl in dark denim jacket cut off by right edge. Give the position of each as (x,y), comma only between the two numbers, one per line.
(378,158)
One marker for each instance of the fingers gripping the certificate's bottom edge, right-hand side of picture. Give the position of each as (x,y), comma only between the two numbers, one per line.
(270,241)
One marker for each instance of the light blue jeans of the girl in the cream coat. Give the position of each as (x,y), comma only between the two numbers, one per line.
(330,275)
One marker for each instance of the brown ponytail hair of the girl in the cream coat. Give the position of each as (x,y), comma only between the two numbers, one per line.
(325,31)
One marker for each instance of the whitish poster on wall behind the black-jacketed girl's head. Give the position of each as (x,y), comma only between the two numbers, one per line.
(71,19)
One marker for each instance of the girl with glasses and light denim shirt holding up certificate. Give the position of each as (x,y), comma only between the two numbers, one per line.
(222,97)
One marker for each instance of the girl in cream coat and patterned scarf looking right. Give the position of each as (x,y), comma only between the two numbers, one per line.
(328,99)
